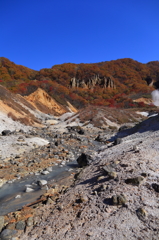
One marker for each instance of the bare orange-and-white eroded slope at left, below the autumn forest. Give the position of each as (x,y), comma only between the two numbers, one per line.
(30,110)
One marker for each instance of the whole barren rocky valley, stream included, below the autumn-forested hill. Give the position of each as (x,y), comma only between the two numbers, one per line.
(113,192)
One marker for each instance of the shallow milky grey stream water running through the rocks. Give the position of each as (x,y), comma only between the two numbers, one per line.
(9,191)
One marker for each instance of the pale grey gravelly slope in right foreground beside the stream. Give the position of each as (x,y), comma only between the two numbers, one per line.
(115,197)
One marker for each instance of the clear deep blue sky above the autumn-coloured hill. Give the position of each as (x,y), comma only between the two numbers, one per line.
(41,33)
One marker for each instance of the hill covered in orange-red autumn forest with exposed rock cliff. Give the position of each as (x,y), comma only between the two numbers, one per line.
(113,83)
